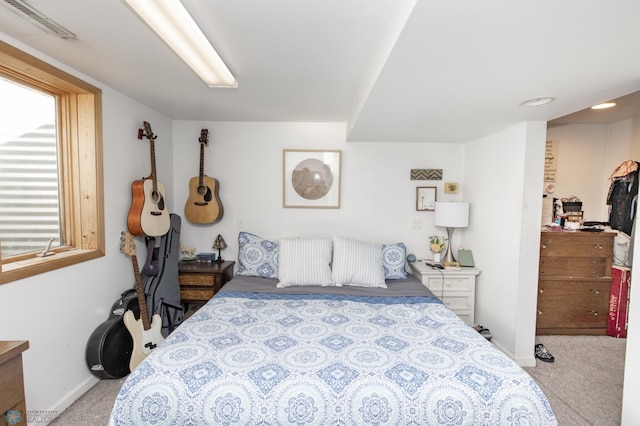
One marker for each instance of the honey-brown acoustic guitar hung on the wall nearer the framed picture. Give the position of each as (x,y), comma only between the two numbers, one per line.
(203,204)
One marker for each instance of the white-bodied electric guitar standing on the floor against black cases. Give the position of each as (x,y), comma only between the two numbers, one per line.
(146,336)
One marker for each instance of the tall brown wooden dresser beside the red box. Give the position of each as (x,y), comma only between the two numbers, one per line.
(574,282)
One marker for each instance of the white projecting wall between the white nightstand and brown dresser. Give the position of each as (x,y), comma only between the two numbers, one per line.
(505,219)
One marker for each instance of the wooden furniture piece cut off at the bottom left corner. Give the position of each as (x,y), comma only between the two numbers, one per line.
(12,400)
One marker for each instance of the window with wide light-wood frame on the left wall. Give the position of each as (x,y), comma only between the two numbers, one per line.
(50,173)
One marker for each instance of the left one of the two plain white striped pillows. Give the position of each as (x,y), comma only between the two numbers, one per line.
(304,261)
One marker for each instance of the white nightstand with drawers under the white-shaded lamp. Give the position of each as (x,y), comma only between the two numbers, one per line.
(456,288)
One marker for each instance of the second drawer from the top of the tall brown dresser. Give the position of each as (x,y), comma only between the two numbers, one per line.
(570,267)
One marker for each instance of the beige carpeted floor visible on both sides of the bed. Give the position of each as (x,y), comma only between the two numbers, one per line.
(584,384)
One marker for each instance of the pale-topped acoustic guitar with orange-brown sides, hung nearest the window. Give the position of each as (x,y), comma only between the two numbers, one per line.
(148,214)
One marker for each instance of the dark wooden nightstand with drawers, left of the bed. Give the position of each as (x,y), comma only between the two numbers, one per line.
(200,281)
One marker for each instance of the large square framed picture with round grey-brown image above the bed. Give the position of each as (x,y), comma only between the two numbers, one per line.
(311,179)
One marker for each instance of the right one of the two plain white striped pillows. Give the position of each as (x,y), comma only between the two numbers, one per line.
(357,263)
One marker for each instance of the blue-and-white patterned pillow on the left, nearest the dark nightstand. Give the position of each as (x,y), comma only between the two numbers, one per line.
(257,257)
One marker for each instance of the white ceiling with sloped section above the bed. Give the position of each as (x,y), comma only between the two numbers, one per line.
(392,70)
